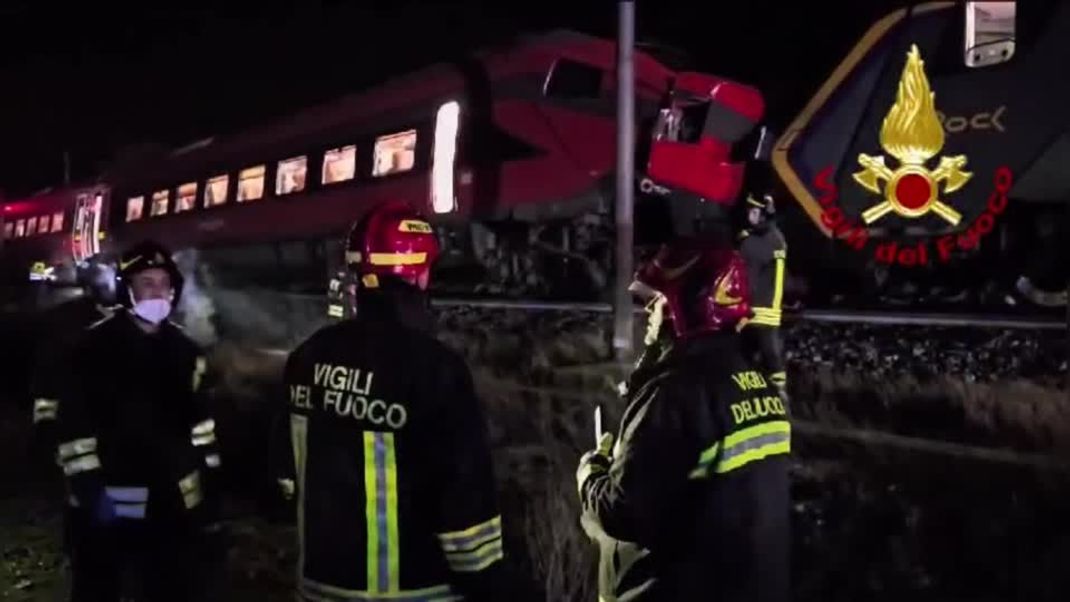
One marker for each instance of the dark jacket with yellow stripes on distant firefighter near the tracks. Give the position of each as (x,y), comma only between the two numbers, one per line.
(766,253)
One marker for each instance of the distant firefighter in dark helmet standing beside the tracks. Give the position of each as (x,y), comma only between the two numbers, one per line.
(766,252)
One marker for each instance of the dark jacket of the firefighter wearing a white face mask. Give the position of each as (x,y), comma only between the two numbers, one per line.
(137,440)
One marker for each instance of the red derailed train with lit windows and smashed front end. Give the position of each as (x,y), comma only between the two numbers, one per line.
(511,152)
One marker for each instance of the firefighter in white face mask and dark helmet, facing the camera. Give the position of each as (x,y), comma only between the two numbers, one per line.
(139,443)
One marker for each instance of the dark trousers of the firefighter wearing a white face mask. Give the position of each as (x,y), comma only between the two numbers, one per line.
(147,561)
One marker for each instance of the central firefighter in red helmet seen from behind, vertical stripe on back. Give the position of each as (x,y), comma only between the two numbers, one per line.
(394,484)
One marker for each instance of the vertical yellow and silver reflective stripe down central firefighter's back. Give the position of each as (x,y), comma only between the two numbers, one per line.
(381,513)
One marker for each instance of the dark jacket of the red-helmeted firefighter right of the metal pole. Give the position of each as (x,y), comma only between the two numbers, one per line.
(695,502)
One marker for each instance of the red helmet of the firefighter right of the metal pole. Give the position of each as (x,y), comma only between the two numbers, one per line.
(705,287)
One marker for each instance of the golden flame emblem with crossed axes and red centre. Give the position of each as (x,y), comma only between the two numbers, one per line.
(912,133)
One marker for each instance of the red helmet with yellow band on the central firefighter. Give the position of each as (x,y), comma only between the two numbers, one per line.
(392,240)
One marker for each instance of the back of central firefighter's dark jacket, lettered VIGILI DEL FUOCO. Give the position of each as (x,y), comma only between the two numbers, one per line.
(370,400)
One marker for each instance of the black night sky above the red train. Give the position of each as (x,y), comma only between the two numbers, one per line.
(91,81)
